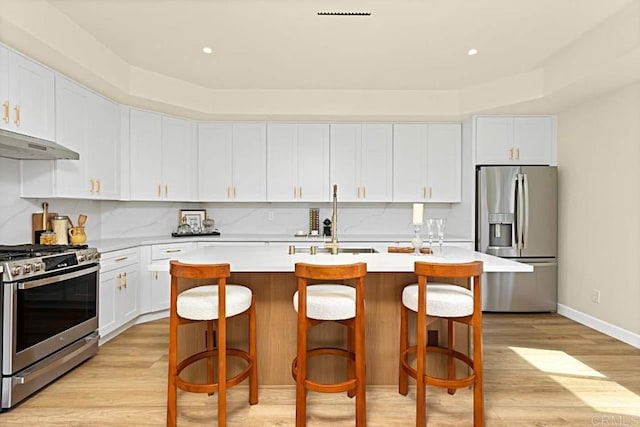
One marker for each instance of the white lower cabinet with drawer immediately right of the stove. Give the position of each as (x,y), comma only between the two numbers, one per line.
(119,297)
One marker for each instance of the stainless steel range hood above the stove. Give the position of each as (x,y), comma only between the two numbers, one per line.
(23,147)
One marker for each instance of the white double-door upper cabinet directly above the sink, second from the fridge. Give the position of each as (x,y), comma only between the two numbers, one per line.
(361,161)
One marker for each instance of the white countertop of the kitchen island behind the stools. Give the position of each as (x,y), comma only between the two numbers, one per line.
(277,259)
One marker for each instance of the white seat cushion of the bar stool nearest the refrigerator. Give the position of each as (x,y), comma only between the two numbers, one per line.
(443,300)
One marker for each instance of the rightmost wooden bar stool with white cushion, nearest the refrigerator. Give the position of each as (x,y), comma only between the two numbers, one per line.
(455,303)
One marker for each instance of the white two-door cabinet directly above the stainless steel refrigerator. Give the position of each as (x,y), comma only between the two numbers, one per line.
(504,140)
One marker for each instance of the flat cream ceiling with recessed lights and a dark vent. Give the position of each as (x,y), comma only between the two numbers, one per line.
(283,45)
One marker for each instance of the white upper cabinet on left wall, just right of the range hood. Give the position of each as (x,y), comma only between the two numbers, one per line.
(90,125)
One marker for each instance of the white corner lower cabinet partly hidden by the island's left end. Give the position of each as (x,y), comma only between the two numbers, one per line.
(161,280)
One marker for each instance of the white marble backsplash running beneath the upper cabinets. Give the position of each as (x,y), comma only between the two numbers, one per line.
(112,219)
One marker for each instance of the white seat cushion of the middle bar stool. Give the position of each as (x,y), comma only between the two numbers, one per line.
(329,302)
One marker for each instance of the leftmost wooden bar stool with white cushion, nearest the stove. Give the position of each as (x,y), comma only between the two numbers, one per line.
(210,303)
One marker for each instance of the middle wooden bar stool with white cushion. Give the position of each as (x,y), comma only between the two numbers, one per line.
(341,303)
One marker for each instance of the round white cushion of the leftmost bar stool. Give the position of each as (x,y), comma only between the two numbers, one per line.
(201,302)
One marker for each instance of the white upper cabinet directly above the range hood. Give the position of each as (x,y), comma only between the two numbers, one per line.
(27,96)
